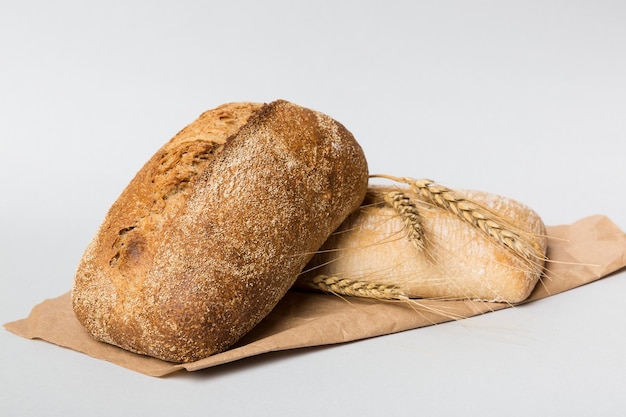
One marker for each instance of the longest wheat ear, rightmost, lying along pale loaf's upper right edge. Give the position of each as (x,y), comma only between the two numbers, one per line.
(471,213)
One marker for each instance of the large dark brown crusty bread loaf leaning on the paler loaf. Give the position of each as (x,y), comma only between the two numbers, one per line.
(215,227)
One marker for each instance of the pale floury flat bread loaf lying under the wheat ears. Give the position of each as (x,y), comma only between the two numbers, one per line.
(376,252)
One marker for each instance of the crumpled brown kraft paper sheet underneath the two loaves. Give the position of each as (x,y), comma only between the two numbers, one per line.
(586,251)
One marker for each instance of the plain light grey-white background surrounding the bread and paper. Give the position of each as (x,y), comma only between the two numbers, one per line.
(525,99)
